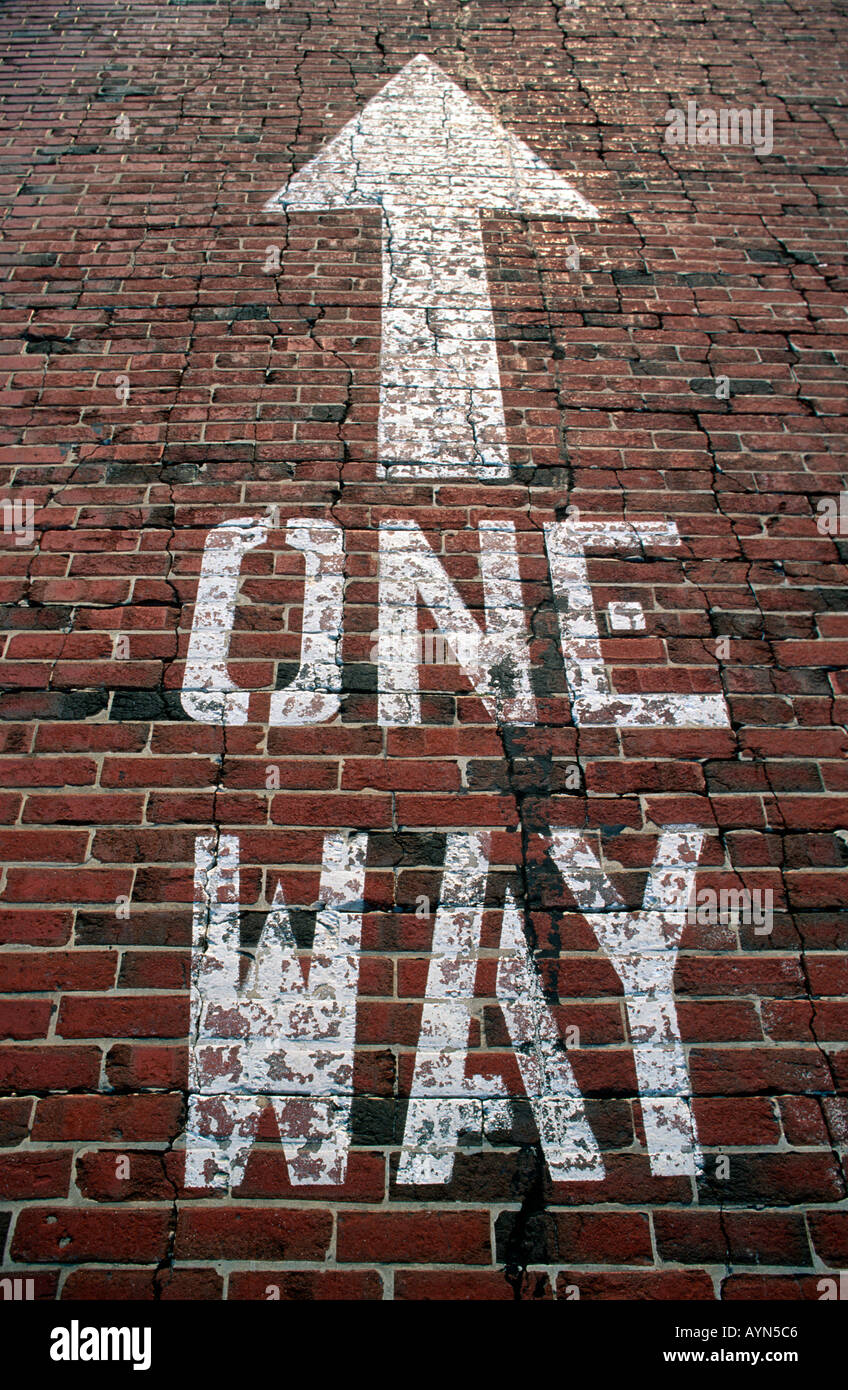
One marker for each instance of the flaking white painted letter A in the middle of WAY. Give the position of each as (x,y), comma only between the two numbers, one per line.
(444,1100)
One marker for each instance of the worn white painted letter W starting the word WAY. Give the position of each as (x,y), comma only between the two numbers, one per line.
(273,1028)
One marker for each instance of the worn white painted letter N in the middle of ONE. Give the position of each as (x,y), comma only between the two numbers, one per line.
(497,661)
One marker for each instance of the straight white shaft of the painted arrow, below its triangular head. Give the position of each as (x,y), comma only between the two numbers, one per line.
(441,409)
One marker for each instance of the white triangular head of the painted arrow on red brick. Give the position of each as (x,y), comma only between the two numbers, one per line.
(423,144)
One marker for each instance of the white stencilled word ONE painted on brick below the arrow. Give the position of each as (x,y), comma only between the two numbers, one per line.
(496,658)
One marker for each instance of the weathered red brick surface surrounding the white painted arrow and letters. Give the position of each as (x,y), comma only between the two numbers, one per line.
(144,258)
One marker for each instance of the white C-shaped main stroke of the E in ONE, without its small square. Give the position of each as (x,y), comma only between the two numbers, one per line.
(593,700)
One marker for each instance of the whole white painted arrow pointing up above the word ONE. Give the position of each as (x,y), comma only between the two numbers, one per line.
(432,159)
